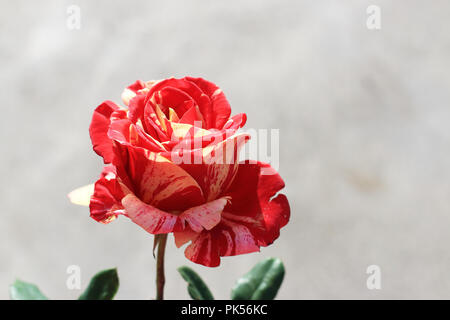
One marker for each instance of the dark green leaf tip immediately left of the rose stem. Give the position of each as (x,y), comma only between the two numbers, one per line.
(103,286)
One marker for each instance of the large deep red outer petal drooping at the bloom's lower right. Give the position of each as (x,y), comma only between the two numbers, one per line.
(253,218)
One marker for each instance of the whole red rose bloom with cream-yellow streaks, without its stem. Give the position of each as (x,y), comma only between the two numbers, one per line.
(172,166)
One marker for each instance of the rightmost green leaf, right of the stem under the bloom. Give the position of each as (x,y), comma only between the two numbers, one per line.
(260,283)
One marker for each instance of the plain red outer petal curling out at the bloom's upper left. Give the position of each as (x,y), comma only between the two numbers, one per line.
(98,130)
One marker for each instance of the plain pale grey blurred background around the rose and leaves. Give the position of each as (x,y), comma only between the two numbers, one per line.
(364,137)
